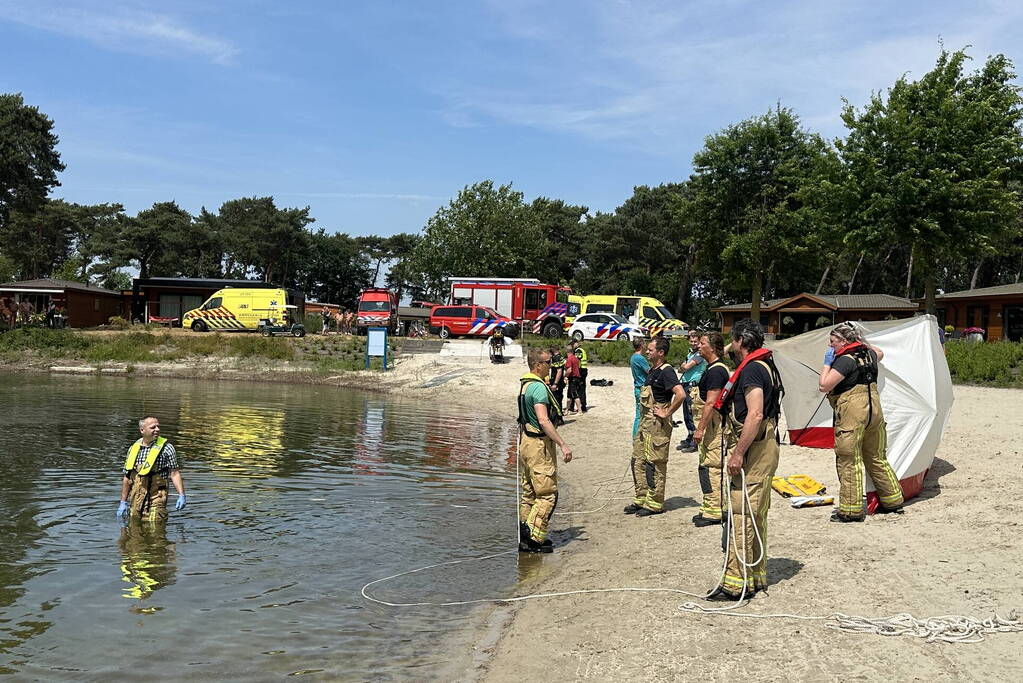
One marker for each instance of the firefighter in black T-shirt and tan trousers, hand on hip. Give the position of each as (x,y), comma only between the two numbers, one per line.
(659,399)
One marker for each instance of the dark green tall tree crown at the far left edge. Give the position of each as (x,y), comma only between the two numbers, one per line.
(29,159)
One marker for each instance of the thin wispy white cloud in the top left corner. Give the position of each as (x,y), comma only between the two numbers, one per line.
(120,29)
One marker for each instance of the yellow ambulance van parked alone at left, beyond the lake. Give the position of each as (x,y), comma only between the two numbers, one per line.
(243,309)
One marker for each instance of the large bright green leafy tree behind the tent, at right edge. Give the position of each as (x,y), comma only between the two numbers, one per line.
(932,167)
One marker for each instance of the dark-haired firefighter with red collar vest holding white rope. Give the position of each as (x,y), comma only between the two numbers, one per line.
(751,403)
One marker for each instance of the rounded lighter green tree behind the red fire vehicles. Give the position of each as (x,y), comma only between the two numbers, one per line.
(485,232)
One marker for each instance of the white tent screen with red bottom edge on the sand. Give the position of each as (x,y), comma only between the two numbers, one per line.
(915,386)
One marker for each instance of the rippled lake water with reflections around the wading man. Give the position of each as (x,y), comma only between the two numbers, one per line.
(298,496)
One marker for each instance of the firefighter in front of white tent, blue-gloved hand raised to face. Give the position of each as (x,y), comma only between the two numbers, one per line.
(851,380)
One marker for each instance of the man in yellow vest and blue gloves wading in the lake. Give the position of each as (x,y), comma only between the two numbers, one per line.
(151,462)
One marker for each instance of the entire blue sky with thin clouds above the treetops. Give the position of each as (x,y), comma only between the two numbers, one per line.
(377,114)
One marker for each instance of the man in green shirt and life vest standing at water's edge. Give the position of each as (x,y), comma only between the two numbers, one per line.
(538,454)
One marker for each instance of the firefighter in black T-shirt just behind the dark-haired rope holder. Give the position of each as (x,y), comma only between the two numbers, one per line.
(713,436)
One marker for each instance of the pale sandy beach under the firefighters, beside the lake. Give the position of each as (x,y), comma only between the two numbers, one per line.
(955,552)
